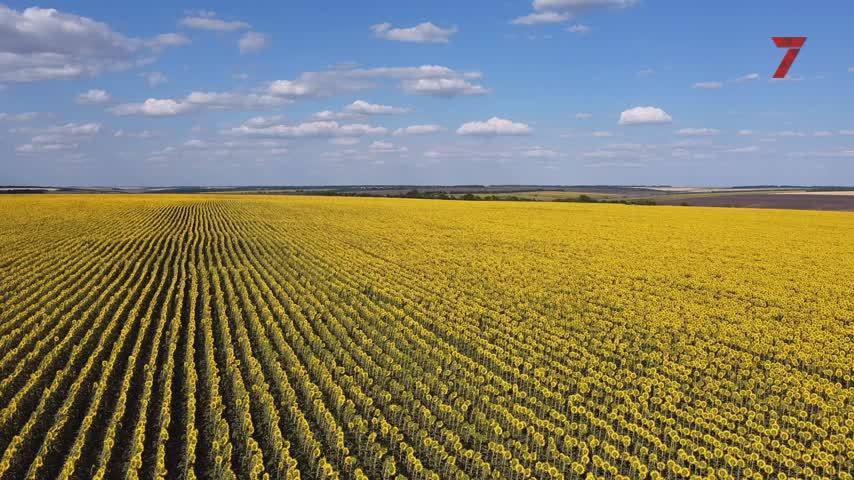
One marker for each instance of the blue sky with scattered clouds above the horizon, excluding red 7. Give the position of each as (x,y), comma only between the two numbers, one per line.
(439,92)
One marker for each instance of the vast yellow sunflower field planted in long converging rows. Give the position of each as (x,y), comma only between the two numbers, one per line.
(238,336)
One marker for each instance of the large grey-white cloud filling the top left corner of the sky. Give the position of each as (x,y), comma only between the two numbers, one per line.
(38,44)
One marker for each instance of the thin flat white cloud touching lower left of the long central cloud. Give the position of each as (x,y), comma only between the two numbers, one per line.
(154,107)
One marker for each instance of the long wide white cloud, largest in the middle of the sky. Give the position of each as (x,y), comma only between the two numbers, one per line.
(444,81)
